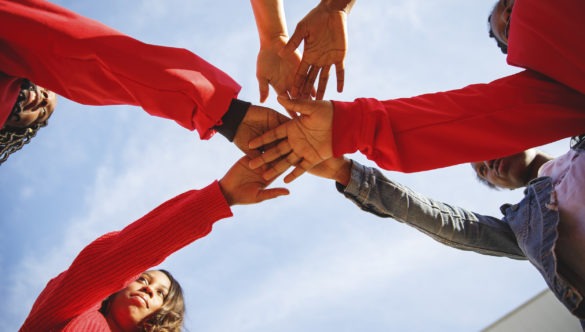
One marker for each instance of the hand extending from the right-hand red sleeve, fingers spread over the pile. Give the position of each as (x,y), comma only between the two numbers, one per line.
(304,141)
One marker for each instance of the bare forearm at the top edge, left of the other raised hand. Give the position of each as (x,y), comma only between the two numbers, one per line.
(270,21)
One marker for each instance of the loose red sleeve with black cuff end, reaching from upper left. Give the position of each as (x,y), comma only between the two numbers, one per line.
(90,63)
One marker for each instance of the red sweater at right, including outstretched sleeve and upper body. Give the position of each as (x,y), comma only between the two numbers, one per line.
(483,121)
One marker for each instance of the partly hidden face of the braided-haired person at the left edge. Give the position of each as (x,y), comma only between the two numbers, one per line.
(37,106)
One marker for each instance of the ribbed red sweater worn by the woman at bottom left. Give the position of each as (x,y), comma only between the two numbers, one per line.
(70,302)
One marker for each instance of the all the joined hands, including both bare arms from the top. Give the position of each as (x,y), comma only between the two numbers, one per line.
(272,141)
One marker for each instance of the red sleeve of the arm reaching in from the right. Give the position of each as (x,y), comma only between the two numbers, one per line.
(478,122)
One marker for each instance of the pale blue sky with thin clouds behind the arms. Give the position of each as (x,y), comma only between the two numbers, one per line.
(308,262)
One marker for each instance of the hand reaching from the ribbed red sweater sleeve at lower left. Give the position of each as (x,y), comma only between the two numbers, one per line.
(243,185)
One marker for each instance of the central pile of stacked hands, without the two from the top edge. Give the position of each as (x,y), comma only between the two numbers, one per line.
(273,143)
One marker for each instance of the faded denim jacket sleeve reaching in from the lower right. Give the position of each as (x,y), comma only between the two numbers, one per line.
(453,226)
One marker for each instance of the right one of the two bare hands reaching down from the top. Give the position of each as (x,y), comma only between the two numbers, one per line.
(324,33)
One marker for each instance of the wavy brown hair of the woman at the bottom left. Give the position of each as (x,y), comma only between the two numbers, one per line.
(169,318)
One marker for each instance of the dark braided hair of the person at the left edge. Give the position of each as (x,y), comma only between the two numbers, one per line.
(13,139)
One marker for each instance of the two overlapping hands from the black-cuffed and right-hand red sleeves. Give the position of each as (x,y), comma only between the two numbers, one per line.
(275,142)
